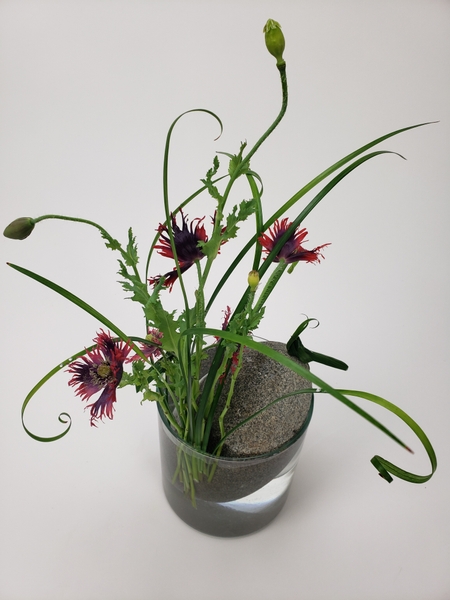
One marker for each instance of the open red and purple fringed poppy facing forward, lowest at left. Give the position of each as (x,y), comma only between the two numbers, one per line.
(100,369)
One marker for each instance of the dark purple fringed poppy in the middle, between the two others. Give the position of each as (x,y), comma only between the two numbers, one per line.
(186,241)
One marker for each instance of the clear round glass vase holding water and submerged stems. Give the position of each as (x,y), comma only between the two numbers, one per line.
(222,496)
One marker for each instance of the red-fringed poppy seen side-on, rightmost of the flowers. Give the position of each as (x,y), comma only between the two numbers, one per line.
(292,250)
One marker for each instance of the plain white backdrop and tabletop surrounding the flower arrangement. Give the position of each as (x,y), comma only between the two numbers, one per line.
(88,91)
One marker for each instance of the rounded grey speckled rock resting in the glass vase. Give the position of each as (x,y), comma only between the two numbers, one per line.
(260,381)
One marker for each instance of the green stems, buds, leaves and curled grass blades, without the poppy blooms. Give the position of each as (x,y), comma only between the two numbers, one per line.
(172,376)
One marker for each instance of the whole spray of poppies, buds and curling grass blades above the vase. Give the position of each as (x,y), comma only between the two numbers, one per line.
(165,364)
